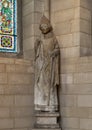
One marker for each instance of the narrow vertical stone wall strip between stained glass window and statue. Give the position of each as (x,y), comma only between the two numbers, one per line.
(28,28)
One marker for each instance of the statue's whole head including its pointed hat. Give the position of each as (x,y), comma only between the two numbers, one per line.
(45,25)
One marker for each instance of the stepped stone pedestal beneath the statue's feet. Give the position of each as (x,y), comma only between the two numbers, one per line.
(47,121)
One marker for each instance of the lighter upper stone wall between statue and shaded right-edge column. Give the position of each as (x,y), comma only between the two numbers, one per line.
(66,26)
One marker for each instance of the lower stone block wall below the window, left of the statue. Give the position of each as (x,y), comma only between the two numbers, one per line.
(16,94)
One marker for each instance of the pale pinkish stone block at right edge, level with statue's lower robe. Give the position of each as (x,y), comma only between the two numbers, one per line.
(85,101)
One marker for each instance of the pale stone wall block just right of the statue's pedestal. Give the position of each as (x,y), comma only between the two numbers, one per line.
(70,123)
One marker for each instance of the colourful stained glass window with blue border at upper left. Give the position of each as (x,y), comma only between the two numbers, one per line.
(8,25)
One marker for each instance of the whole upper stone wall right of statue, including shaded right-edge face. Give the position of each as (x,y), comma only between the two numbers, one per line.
(72,25)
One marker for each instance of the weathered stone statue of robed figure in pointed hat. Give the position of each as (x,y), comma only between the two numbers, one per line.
(46,69)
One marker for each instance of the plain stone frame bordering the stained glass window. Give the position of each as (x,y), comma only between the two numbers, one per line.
(19,52)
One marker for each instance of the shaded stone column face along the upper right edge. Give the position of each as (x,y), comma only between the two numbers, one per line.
(85,30)
